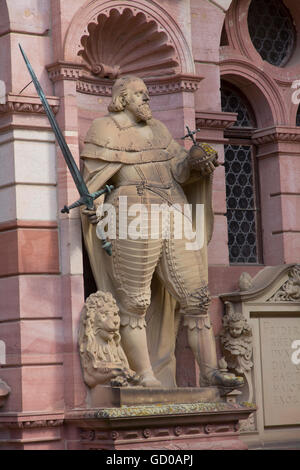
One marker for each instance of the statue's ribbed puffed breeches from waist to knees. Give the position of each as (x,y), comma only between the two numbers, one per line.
(134,261)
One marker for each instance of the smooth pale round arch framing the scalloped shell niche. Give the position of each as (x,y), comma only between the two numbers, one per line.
(89,13)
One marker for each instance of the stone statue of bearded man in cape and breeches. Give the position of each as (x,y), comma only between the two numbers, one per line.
(136,153)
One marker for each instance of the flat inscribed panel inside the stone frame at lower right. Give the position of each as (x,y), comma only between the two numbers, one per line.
(280,377)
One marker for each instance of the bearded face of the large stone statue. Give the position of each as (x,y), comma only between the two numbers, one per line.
(137,100)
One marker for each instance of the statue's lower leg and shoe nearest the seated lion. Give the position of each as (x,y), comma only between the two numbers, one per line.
(134,343)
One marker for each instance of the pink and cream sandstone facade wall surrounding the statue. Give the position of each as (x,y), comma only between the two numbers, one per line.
(41,273)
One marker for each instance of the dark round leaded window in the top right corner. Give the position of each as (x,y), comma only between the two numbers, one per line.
(272,30)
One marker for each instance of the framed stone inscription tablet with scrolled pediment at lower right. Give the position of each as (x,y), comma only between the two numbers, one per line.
(270,302)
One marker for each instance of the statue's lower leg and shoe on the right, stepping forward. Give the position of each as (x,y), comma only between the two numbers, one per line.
(202,342)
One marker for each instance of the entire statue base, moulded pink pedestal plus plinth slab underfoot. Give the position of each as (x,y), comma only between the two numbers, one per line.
(180,419)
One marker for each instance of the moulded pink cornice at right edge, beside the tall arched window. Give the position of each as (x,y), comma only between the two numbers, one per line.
(280,134)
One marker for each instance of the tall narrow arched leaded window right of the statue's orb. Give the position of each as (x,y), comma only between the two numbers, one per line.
(241,183)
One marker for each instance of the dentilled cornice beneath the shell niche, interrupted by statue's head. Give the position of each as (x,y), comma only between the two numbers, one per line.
(89,84)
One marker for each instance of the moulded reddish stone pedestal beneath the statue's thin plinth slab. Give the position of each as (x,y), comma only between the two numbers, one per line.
(193,426)
